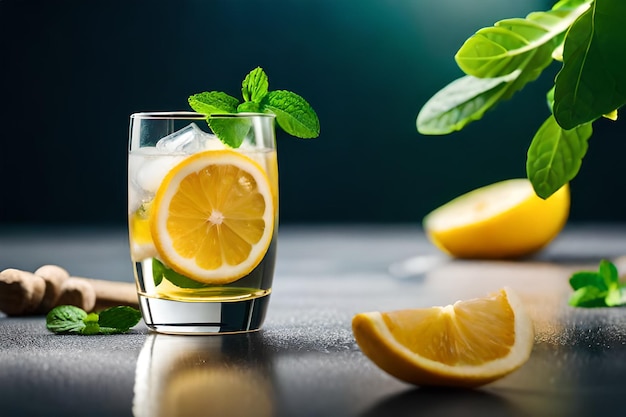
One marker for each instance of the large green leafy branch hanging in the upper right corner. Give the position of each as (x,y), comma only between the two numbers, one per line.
(500,60)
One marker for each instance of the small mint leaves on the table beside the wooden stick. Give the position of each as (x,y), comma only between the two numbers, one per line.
(68,319)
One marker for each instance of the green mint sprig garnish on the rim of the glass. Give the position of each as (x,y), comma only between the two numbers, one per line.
(293,113)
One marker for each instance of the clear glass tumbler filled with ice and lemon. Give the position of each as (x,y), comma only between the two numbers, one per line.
(203,219)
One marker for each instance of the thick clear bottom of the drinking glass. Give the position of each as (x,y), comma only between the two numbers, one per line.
(177,317)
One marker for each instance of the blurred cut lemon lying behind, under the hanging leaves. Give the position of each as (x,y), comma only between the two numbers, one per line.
(502,220)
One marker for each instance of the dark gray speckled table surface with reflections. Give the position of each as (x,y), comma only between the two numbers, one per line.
(304,362)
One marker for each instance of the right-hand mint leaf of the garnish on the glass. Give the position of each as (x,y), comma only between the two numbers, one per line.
(293,113)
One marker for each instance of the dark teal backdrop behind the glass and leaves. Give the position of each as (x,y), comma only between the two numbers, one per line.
(73,71)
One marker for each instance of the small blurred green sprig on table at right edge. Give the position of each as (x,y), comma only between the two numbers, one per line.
(598,289)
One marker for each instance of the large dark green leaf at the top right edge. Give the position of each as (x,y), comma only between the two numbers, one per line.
(592,81)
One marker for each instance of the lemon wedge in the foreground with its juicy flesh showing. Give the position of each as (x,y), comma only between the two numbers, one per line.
(466,344)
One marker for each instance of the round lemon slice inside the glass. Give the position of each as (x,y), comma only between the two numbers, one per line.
(213,216)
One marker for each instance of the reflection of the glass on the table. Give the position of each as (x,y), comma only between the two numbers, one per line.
(179,376)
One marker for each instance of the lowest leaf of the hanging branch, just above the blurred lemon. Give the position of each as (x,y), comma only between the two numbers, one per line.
(555,156)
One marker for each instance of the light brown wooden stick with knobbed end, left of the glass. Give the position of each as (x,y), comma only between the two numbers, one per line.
(27,293)
